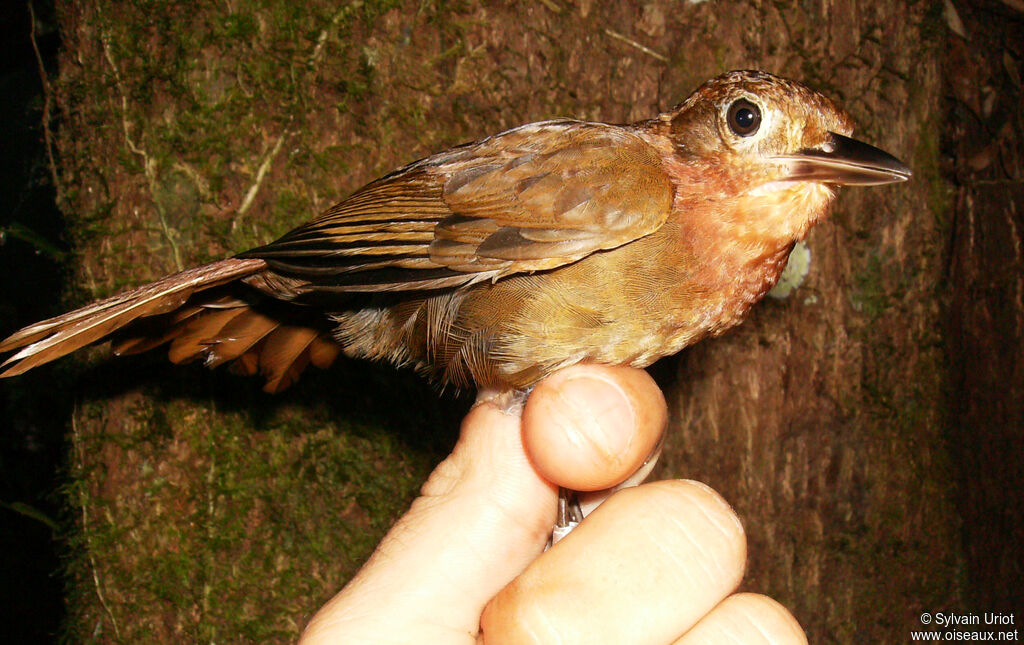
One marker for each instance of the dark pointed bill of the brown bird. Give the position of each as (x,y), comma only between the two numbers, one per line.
(845,161)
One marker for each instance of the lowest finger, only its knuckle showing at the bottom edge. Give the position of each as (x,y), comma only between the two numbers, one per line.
(746,620)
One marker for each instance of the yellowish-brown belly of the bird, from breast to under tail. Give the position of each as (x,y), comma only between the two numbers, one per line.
(630,306)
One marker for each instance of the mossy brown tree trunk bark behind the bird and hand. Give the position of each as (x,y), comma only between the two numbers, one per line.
(205,510)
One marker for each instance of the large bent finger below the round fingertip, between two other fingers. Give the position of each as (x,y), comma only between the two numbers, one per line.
(645,568)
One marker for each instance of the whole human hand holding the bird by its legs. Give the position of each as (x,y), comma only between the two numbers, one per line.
(466,565)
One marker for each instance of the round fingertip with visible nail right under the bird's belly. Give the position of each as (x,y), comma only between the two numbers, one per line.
(589,427)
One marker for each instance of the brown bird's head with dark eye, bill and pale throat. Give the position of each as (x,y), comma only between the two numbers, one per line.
(776,145)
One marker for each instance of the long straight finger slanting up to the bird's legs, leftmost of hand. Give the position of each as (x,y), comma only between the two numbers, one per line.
(484,515)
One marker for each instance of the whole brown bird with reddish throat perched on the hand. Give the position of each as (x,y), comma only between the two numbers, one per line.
(497,263)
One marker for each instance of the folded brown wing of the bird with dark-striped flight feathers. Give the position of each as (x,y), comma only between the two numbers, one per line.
(531,199)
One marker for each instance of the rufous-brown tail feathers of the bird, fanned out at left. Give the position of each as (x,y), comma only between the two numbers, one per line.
(198,320)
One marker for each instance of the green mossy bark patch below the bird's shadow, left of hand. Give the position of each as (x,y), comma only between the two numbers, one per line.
(231,520)
